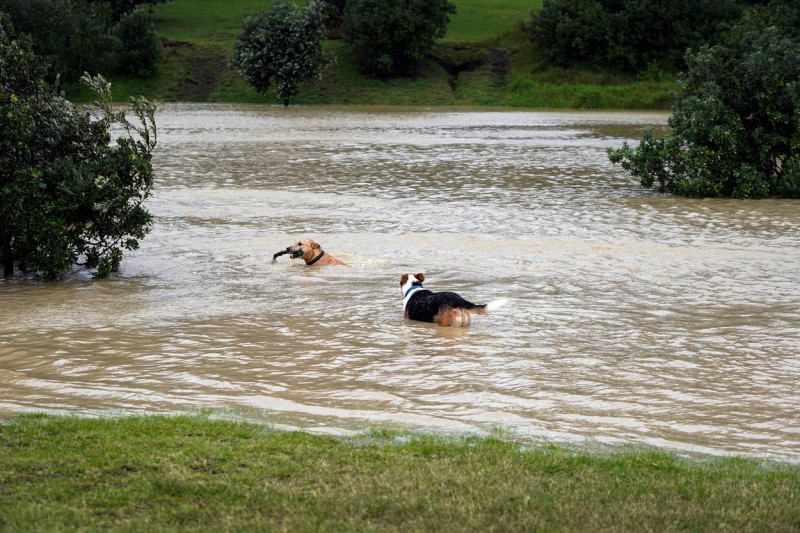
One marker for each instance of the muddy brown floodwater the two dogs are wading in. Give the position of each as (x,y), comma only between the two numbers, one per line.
(634,317)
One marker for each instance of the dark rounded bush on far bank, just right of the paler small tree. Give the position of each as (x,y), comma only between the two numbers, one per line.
(390,37)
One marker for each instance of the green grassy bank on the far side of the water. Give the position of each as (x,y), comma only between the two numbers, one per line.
(489,37)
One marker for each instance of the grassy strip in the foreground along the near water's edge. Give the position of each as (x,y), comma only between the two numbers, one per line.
(191,473)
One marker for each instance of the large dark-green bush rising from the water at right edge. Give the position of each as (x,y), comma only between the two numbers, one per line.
(735,127)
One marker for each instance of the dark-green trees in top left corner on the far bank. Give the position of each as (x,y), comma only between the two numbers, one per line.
(74,36)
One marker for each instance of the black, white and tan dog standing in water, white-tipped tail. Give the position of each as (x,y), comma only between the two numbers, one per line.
(443,308)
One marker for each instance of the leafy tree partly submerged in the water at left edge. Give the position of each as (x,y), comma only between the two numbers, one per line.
(69,193)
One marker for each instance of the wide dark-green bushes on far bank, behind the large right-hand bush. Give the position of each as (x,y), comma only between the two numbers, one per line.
(627,35)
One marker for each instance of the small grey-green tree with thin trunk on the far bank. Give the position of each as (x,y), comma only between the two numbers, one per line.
(284,44)
